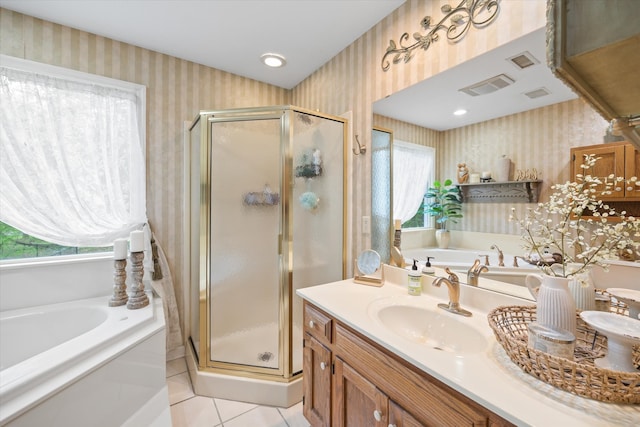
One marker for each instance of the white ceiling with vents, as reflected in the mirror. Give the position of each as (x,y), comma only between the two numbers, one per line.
(432,102)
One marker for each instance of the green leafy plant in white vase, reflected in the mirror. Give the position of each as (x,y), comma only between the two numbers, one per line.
(444,204)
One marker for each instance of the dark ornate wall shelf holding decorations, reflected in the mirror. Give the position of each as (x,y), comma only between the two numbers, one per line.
(501,192)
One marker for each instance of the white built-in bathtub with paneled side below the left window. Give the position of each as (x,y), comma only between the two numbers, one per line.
(83,363)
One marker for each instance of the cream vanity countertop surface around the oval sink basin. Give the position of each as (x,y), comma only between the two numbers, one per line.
(488,377)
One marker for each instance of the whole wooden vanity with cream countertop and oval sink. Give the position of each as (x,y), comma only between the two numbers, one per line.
(369,360)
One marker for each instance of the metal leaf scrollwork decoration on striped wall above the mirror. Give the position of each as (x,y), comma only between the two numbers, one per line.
(480,13)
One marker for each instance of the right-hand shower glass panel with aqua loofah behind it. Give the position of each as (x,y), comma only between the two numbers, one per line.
(317,210)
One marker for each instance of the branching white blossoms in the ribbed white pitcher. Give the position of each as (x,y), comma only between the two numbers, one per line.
(575,224)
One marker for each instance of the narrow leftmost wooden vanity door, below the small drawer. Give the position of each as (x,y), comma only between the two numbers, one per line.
(316,381)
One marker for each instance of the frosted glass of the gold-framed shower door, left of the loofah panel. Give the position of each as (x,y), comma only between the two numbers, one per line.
(245,229)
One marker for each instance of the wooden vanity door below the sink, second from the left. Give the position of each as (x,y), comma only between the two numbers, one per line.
(357,402)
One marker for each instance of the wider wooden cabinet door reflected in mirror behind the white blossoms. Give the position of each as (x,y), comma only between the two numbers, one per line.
(611,161)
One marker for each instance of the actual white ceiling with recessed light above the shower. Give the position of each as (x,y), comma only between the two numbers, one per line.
(229,35)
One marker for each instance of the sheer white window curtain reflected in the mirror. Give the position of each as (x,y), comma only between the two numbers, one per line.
(413,169)
